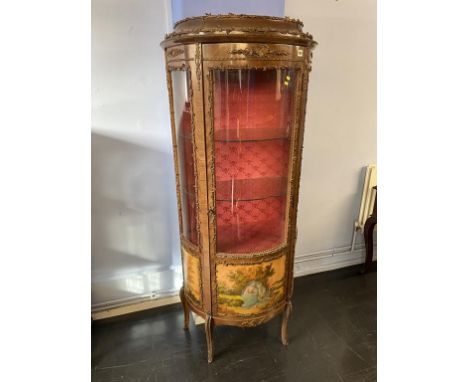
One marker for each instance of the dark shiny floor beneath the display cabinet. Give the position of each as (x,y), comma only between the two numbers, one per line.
(332,331)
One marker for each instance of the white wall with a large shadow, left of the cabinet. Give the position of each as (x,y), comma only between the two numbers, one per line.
(135,247)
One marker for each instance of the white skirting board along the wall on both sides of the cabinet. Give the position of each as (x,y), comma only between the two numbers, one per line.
(303,265)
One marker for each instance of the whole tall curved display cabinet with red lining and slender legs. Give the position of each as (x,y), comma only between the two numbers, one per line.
(237,87)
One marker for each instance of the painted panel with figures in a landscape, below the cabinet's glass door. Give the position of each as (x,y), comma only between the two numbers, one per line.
(250,289)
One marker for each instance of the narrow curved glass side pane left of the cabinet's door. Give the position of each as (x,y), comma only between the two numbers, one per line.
(185,152)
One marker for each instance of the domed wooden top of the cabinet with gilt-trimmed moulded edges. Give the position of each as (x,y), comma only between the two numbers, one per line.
(238,28)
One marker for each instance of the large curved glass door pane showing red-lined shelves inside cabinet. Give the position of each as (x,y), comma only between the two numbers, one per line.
(253,111)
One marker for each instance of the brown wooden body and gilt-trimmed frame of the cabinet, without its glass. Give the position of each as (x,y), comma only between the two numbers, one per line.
(200,46)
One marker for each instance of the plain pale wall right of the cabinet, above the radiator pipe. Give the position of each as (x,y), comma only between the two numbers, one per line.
(341,134)
